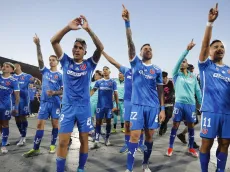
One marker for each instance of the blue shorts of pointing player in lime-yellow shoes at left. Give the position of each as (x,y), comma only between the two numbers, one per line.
(48,109)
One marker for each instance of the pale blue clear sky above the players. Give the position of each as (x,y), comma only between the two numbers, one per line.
(168,25)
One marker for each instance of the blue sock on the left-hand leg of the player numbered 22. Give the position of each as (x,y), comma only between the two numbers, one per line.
(130,156)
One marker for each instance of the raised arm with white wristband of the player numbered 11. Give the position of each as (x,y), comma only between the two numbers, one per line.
(204,53)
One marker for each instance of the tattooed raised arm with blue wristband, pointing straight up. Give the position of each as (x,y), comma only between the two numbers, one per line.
(131,47)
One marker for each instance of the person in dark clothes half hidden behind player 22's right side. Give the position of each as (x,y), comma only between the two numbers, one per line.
(169,94)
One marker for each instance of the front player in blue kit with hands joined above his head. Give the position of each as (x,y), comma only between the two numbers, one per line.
(77,74)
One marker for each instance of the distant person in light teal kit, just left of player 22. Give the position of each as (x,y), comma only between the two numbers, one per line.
(120,89)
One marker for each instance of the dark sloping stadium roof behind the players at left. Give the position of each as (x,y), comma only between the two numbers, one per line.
(27,68)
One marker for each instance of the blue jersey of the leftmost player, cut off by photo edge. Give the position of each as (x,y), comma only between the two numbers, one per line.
(7,87)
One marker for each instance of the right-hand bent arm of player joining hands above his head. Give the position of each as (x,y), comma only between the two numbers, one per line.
(97,42)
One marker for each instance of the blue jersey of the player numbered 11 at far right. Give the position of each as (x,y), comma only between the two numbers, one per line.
(215,83)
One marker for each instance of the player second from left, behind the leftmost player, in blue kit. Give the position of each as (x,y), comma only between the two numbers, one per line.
(24,80)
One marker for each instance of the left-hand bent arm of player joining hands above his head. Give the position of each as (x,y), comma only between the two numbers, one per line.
(55,40)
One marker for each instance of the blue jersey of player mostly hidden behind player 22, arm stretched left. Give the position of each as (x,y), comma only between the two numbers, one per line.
(128,82)
